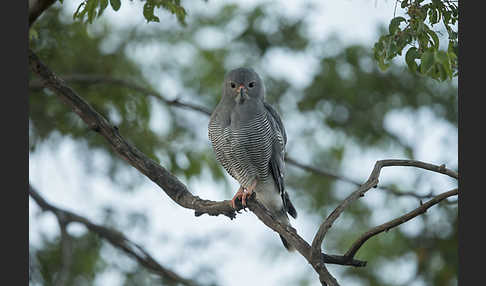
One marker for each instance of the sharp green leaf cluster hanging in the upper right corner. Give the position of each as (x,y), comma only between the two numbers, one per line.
(418,33)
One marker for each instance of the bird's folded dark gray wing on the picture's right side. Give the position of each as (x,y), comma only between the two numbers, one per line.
(277,163)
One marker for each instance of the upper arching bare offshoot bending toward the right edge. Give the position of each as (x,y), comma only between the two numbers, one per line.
(371,182)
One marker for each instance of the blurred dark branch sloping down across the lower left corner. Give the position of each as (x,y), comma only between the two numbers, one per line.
(114,237)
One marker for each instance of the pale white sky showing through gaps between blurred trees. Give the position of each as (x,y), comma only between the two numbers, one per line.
(60,177)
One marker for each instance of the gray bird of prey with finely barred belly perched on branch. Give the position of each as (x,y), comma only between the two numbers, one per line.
(248,138)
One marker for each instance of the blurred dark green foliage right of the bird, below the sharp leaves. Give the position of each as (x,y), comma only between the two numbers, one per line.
(354,98)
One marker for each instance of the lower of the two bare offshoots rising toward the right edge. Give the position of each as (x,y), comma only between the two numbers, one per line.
(395,222)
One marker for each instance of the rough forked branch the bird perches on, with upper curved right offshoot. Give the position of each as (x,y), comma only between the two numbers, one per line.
(178,192)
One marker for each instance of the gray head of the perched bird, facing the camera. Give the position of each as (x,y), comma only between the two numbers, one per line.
(243,83)
